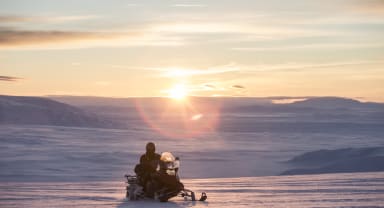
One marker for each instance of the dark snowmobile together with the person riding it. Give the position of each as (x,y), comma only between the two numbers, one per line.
(157,178)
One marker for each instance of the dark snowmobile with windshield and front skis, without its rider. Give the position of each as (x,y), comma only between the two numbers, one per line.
(164,184)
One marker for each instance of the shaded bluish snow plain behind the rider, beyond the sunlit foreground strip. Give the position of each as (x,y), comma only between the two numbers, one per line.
(47,153)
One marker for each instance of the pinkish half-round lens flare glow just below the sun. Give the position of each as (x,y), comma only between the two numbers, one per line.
(172,120)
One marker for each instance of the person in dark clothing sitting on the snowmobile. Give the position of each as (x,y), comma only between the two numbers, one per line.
(146,170)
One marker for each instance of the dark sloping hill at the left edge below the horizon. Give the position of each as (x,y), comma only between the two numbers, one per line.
(43,111)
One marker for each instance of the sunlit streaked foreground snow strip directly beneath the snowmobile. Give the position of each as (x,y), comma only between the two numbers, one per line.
(327,190)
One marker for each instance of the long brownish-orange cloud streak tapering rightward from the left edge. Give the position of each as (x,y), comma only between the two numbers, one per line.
(11,38)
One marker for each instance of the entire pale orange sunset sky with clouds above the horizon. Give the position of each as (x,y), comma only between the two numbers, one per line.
(145,48)
